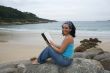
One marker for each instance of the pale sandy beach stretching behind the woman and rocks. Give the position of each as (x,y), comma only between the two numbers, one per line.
(15,45)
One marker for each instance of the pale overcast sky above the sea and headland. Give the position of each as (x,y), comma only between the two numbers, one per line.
(61,10)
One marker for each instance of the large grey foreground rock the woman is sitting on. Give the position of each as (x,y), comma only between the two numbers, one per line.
(79,65)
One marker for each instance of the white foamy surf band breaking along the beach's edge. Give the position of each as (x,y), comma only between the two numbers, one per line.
(78,32)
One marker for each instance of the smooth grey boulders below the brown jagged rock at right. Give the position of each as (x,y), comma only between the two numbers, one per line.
(96,54)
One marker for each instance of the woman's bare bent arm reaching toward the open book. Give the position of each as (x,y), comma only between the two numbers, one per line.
(65,43)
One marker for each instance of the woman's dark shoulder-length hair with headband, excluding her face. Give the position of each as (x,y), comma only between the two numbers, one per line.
(72,27)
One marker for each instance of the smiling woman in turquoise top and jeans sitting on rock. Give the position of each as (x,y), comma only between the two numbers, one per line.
(61,55)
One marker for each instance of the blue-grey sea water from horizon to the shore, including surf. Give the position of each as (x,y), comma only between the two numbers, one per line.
(88,28)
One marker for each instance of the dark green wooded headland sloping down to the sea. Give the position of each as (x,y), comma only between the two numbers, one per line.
(10,15)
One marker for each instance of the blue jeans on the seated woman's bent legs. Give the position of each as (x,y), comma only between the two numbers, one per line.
(58,58)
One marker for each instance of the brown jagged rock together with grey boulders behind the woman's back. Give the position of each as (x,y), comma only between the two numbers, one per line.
(88,49)
